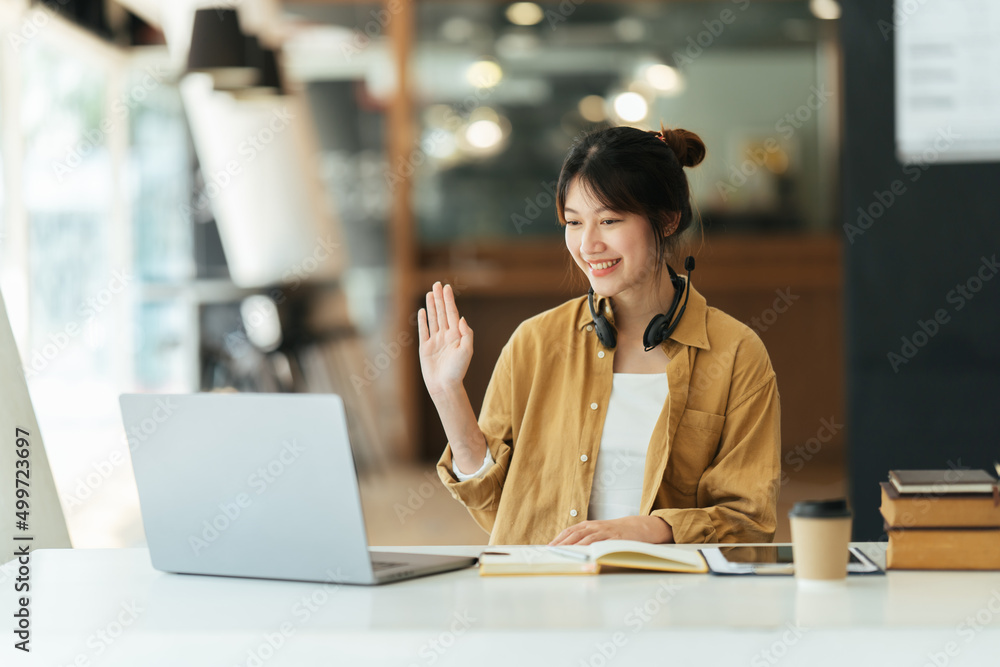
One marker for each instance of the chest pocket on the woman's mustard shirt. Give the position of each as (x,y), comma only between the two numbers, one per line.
(695,444)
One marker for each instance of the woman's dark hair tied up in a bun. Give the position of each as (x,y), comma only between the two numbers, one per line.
(636,171)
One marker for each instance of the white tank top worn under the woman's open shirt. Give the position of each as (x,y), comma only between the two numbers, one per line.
(636,402)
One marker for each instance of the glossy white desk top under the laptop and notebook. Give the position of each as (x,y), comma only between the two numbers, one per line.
(109,607)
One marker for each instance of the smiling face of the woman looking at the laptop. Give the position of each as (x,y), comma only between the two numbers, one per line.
(614,249)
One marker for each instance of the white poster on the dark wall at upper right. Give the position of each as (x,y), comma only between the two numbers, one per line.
(947,89)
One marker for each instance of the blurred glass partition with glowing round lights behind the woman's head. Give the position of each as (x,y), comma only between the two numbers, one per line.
(505,89)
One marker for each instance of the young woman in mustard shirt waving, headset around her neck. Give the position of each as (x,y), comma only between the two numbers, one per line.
(624,414)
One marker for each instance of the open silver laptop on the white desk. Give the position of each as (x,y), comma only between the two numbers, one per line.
(256,485)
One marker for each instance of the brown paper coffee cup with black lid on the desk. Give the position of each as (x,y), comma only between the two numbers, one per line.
(821,532)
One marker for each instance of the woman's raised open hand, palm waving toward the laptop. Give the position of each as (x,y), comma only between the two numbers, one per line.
(445,341)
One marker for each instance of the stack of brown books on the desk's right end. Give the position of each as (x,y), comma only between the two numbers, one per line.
(942,520)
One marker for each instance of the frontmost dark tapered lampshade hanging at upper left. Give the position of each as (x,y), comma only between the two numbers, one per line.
(219,48)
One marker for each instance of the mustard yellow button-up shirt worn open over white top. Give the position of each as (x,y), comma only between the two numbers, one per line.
(713,461)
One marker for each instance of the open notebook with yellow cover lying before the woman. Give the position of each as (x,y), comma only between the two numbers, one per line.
(517,560)
